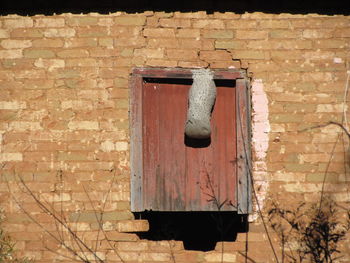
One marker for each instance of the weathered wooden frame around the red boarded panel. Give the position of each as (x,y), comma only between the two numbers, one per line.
(243,129)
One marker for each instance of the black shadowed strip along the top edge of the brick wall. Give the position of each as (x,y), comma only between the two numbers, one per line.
(25,7)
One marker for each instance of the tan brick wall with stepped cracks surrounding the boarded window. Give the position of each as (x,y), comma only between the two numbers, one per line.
(64,119)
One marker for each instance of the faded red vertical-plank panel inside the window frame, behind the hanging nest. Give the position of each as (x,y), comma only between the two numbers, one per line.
(177,174)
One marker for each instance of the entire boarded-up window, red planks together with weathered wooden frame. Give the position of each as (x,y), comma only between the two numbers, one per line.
(167,174)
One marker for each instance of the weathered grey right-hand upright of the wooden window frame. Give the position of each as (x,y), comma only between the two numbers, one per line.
(243,147)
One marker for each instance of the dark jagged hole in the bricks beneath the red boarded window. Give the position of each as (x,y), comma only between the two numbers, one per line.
(198,230)
